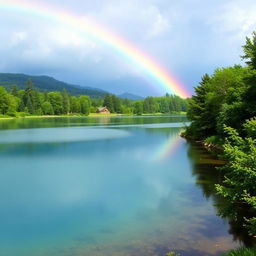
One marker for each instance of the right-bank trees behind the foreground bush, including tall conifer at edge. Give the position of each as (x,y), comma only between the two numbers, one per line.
(227,97)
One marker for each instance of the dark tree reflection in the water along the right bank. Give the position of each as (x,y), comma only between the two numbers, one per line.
(207,176)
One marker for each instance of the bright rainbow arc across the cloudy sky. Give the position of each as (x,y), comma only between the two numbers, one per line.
(129,52)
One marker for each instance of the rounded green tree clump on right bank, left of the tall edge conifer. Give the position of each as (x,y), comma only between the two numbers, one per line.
(219,101)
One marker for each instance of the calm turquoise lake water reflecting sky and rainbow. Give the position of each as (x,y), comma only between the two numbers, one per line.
(124,186)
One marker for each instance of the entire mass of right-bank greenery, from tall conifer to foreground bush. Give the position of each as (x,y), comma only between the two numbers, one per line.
(223,111)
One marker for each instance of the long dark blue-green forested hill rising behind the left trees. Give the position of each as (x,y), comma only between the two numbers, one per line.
(46,83)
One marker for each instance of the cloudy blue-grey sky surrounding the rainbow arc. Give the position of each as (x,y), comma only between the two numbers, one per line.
(188,37)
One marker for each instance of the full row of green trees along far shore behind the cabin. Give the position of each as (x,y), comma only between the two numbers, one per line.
(31,101)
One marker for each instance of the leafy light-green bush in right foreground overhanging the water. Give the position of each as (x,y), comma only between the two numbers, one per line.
(239,186)
